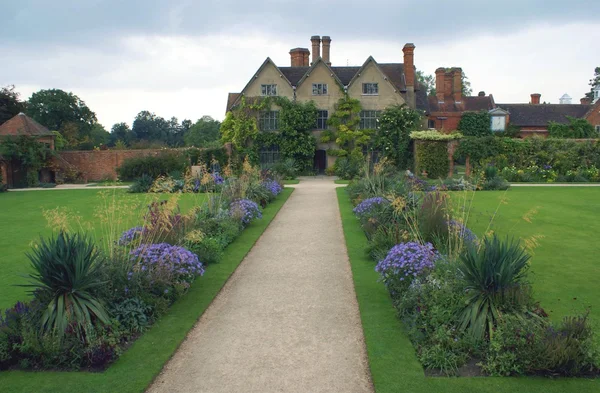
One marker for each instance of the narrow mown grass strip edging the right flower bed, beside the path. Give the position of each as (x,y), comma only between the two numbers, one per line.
(392,361)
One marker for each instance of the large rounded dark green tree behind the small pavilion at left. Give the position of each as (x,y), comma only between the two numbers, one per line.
(62,111)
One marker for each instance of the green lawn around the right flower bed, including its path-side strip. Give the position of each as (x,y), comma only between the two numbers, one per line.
(564,275)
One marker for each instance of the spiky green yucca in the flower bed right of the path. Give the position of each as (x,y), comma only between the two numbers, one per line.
(494,275)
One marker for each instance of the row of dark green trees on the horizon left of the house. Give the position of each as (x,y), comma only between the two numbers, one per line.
(77,128)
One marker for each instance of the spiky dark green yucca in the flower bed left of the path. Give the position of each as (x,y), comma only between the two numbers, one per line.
(66,270)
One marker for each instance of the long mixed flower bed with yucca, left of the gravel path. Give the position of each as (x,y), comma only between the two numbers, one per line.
(90,303)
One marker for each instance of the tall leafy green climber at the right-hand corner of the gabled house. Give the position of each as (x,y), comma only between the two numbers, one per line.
(393,137)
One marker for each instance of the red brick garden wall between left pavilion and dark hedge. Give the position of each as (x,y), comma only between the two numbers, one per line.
(96,165)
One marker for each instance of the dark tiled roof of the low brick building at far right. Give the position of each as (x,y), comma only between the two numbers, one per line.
(528,115)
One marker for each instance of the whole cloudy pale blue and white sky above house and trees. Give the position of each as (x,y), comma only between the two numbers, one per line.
(181,57)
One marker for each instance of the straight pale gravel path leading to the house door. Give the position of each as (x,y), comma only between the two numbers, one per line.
(287,320)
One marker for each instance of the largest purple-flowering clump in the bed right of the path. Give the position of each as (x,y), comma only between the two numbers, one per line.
(403,263)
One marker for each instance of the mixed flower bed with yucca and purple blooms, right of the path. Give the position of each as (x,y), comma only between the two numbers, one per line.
(464,301)
